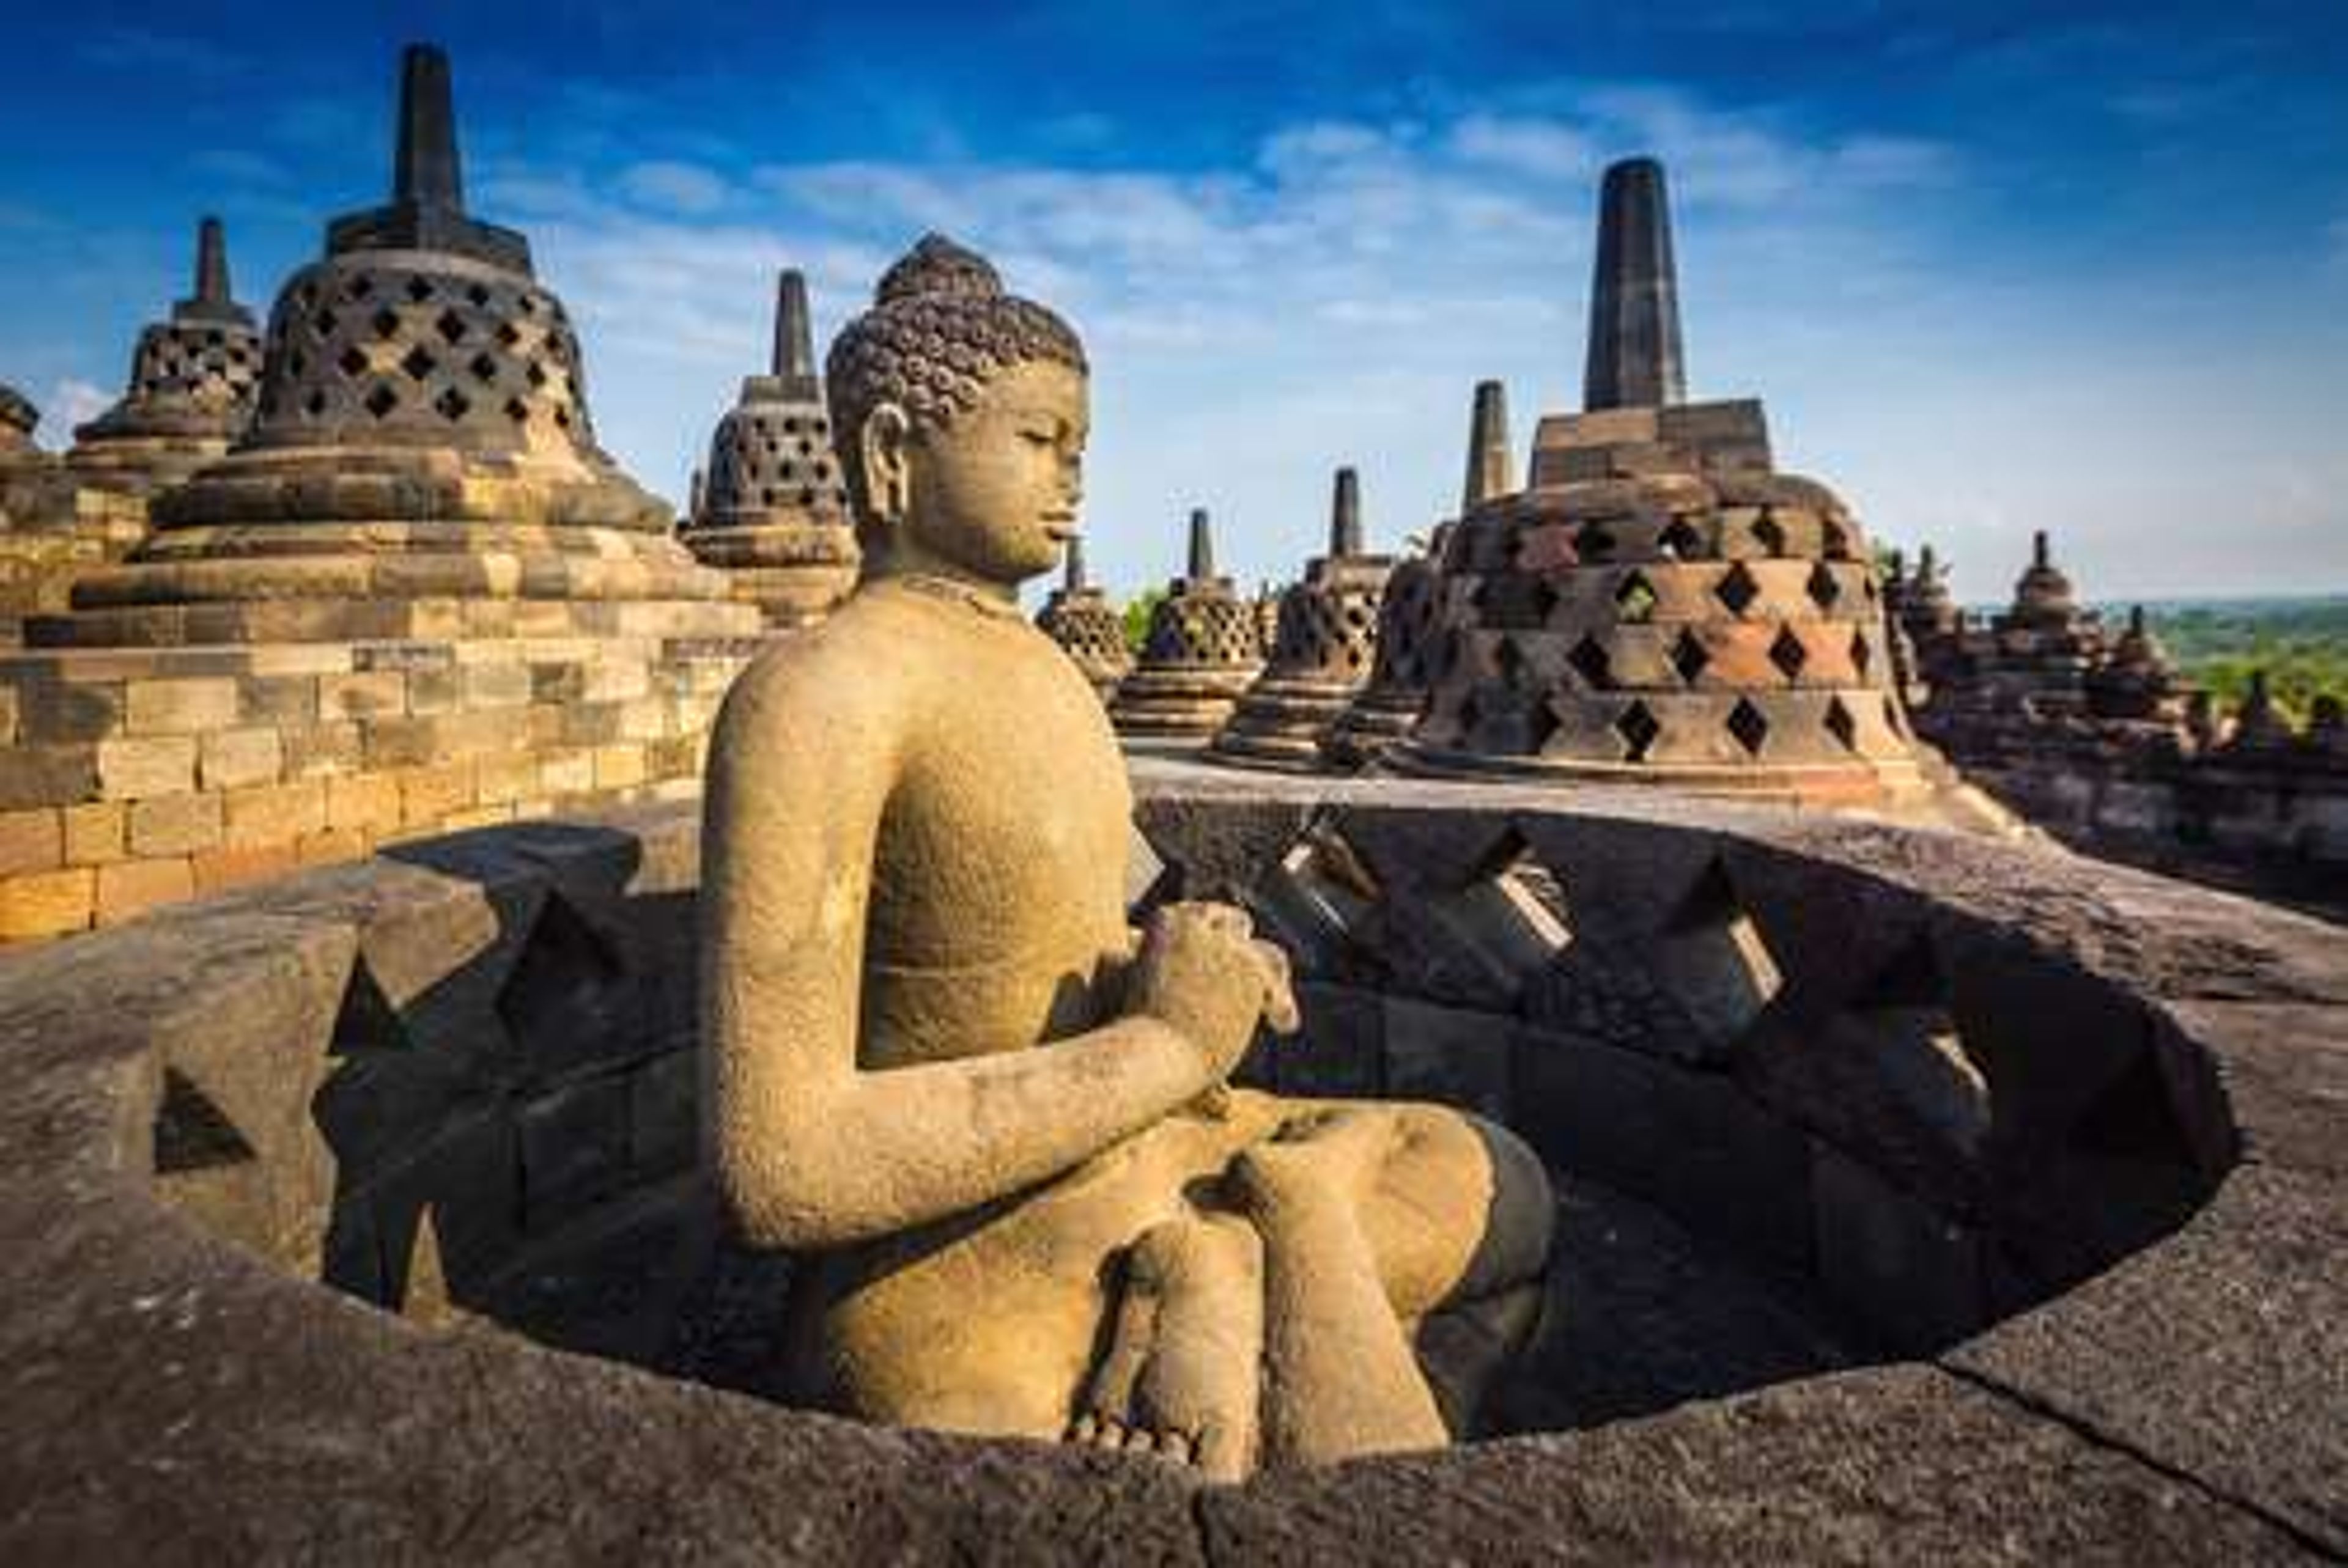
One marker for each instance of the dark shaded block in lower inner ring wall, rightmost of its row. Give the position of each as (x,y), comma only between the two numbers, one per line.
(1910,1276)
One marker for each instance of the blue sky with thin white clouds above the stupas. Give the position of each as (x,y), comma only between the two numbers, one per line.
(1995,266)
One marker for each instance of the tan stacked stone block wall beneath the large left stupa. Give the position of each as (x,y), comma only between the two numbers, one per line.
(147,776)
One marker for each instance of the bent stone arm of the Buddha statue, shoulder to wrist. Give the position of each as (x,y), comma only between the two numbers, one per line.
(809,1149)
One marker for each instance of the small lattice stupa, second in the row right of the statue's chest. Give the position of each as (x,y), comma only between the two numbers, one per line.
(1199,656)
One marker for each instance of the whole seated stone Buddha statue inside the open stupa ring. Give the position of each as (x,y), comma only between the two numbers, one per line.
(987,1116)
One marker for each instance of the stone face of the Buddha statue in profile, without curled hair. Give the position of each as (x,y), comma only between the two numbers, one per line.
(994,496)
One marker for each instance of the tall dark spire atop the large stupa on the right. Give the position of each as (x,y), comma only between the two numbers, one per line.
(1635,358)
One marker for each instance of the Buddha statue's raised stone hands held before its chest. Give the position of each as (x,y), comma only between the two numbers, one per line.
(1208,978)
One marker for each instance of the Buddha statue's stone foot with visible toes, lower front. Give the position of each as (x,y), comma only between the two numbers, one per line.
(1180,1377)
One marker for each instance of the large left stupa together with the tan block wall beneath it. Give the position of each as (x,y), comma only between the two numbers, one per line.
(414,595)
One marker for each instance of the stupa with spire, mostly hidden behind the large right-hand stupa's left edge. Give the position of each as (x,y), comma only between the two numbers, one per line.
(1410,609)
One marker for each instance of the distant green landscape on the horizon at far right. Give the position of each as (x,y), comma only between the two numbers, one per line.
(2302,644)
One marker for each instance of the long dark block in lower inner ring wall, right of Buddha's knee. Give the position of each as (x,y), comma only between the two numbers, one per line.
(1682,1140)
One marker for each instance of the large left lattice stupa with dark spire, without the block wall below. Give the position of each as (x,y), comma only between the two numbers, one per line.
(421,459)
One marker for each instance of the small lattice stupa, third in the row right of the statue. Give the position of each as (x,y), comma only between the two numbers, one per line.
(1323,651)
